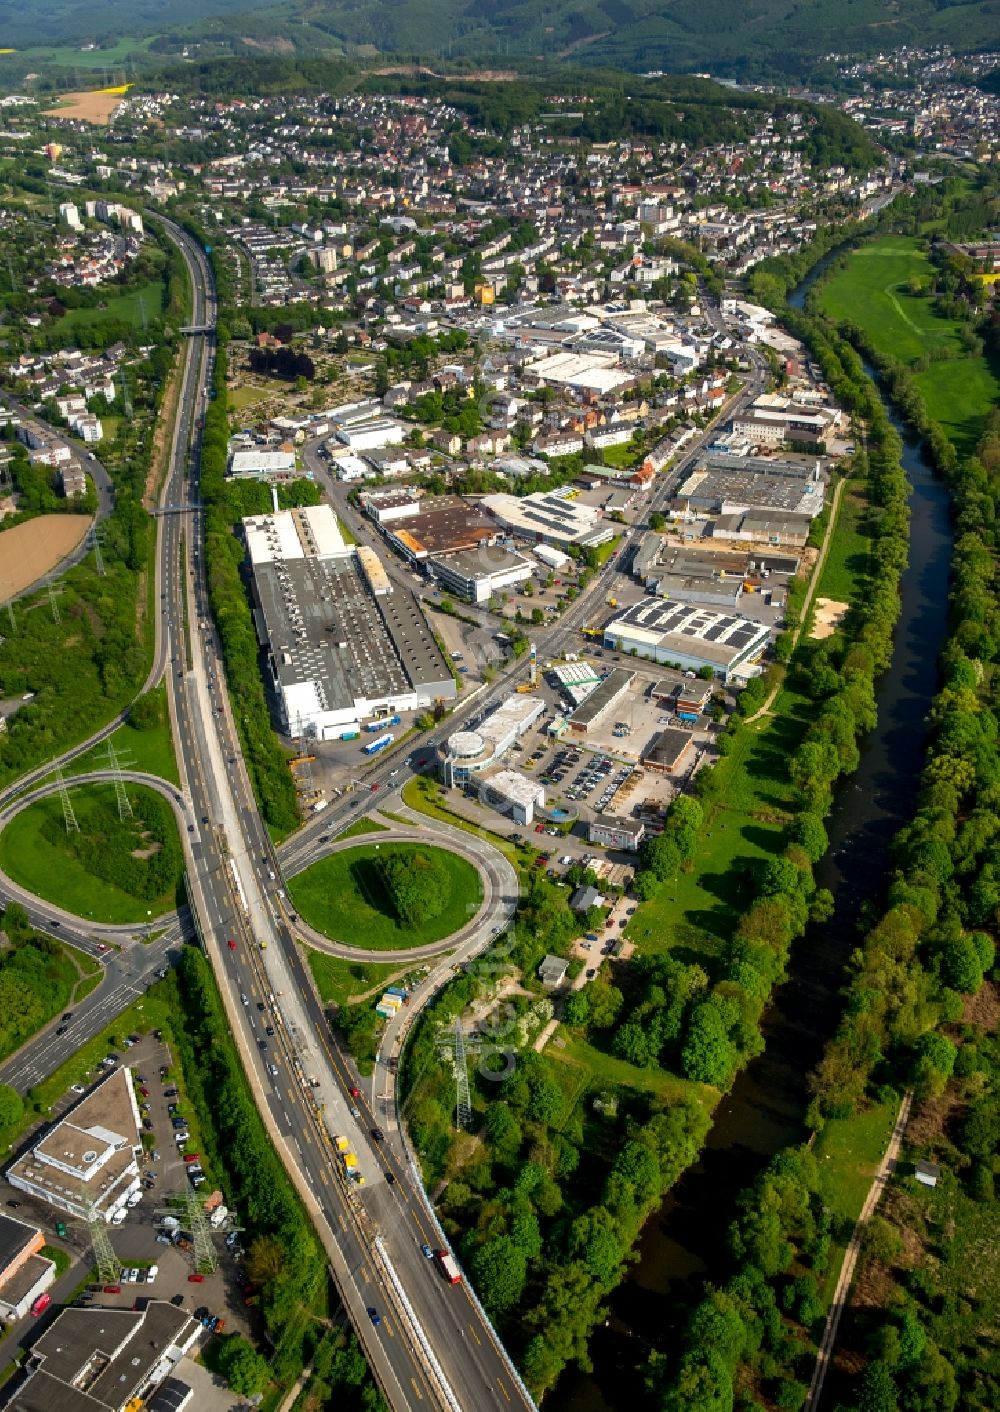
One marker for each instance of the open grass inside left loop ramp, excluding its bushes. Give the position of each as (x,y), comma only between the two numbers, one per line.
(56,875)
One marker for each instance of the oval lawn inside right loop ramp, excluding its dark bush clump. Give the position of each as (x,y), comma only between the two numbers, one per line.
(344,899)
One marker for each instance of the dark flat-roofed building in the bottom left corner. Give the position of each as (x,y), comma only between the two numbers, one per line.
(104,1360)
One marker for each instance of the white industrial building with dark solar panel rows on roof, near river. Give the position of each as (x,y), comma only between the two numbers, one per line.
(679,635)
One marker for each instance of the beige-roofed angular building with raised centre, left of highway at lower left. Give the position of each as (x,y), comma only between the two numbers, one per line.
(88,1161)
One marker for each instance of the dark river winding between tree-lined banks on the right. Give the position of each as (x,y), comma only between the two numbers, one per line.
(683,1245)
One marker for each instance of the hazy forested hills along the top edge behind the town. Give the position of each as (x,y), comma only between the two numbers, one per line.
(741,39)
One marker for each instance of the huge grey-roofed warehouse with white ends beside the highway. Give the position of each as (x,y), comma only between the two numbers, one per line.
(343,640)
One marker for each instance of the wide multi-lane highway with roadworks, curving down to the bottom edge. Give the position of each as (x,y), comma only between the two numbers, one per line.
(433,1345)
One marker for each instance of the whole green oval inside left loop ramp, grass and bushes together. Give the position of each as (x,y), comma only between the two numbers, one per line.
(109,870)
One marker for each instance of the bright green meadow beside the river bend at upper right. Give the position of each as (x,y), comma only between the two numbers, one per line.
(872,293)
